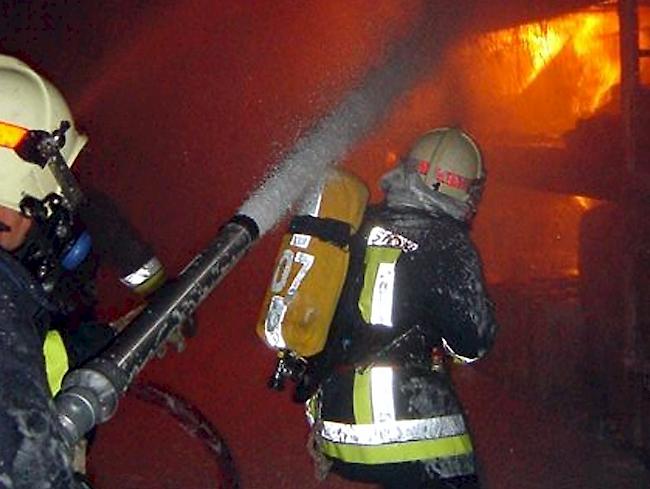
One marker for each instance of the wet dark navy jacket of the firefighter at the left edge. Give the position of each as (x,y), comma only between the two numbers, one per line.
(32,451)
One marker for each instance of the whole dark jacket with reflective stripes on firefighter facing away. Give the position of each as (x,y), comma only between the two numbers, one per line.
(414,281)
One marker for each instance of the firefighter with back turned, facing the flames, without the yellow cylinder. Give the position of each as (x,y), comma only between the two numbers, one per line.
(379,398)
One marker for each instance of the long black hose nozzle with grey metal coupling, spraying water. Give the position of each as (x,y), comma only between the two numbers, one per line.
(90,394)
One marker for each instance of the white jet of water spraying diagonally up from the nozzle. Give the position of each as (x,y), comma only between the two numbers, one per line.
(342,129)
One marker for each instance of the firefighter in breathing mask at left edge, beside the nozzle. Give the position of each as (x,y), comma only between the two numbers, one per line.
(47,267)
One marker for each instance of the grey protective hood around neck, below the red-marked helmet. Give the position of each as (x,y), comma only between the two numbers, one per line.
(403,187)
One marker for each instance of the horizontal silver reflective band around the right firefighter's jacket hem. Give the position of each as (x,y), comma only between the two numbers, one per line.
(395,431)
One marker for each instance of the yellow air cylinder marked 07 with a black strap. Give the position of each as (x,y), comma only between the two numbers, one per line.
(311,266)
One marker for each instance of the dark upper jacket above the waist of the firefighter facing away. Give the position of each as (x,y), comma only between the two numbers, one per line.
(439,297)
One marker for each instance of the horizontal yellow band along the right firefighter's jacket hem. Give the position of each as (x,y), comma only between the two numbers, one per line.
(399,452)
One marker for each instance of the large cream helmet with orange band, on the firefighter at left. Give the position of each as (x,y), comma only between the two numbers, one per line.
(29,101)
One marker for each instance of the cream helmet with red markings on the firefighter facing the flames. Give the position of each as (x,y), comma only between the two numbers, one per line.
(449,161)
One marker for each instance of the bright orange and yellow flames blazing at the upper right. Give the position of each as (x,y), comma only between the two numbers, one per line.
(546,75)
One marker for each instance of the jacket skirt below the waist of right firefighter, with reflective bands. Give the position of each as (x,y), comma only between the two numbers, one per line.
(379,430)
